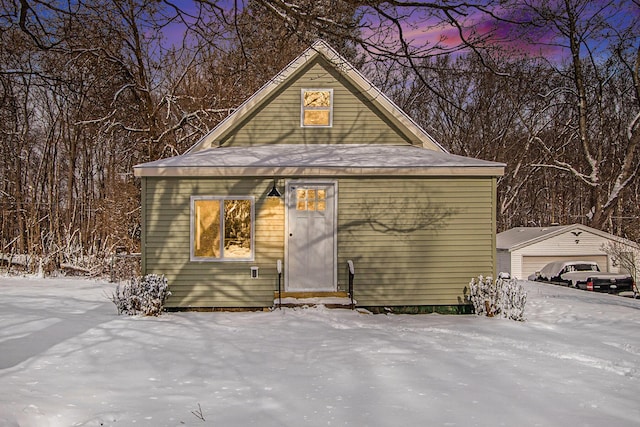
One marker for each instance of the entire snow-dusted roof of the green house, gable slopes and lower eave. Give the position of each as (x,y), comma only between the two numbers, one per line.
(424,157)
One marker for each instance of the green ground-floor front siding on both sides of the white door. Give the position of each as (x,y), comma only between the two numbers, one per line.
(414,241)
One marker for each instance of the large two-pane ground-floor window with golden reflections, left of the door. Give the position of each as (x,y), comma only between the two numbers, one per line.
(221,228)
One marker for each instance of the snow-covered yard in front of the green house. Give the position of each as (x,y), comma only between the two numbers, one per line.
(67,359)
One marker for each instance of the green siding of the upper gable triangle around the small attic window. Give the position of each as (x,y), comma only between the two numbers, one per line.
(277,121)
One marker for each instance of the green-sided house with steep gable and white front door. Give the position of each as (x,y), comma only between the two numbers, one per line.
(316,169)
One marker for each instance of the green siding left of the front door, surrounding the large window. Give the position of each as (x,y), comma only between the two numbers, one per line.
(166,203)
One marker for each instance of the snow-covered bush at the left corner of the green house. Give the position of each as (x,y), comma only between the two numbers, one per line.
(142,295)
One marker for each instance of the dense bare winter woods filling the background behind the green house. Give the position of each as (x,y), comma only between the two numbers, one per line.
(91,88)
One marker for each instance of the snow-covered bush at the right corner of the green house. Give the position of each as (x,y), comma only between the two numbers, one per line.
(502,298)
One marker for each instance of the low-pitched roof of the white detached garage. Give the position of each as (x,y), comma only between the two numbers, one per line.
(519,237)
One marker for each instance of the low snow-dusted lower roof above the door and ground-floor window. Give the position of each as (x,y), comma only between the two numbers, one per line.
(318,160)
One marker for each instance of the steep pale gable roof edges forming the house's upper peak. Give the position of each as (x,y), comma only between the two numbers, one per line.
(320,48)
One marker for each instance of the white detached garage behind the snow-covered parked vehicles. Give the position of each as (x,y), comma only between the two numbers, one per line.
(522,251)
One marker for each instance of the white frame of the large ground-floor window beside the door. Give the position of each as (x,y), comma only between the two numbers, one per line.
(192,219)
